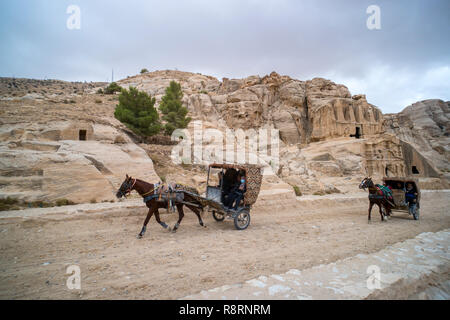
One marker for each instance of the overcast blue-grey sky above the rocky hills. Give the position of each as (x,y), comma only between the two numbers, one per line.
(407,60)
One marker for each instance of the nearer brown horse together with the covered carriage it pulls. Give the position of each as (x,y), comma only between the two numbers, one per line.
(218,188)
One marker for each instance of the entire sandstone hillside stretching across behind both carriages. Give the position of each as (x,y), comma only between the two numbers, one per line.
(60,140)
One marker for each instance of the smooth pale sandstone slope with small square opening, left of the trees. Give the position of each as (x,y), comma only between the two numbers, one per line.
(63,143)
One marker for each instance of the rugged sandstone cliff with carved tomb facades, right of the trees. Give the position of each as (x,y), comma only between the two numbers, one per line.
(318,122)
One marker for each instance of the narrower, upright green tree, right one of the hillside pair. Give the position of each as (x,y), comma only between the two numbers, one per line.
(174,113)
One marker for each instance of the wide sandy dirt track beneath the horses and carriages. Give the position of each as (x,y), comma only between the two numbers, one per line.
(35,251)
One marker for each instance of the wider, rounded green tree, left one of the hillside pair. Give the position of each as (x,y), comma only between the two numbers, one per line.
(136,110)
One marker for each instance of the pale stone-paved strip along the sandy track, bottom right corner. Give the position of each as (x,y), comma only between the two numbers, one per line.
(400,271)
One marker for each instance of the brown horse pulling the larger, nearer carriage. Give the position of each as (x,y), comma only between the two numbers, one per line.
(145,189)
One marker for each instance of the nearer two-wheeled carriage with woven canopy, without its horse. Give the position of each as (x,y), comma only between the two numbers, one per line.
(220,178)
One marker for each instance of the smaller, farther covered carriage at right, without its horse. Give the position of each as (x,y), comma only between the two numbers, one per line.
(398,186)
